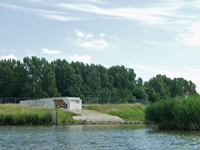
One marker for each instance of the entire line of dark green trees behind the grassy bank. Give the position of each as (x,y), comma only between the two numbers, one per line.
(36,77)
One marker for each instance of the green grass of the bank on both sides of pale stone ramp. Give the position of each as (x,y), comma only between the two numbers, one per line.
(13,114)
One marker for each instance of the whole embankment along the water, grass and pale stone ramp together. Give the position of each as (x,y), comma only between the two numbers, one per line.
(13,114)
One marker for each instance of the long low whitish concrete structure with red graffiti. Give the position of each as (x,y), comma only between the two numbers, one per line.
(66,103)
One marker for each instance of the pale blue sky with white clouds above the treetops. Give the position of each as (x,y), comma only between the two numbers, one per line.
(151,37)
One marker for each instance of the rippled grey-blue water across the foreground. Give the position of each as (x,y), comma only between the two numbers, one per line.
(95,137)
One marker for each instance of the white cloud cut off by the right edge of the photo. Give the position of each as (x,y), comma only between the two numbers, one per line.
(192,37)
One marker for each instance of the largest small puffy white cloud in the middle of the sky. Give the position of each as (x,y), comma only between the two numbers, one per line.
(97,44)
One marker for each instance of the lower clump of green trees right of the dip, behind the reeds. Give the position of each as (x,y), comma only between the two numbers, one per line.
(162,87)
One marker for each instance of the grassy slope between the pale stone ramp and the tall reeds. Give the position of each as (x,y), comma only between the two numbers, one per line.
(129,112)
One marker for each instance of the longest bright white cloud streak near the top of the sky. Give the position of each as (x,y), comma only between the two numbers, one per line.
(148,15)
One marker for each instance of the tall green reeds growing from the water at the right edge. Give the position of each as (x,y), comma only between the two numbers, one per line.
(179,113)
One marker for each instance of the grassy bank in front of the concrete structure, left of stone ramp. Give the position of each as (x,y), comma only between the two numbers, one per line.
(13,114)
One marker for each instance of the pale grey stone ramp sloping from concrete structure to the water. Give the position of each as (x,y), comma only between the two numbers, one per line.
(96,117)
